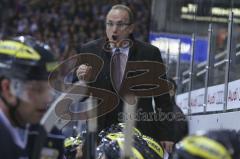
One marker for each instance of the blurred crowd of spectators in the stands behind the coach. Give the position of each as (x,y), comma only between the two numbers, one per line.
(65,25)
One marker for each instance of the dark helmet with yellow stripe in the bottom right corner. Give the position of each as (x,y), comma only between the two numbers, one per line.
(222,144)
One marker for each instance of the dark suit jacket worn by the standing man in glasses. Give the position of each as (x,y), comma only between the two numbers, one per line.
(140,51)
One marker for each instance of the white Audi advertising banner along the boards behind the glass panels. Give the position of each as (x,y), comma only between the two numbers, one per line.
(215,99)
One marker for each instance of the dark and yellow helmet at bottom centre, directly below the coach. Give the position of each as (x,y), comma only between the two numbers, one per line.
(143,147)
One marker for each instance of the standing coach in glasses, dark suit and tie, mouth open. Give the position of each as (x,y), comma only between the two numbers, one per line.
(119,26)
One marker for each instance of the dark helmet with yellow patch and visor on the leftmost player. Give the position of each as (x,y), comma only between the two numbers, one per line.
(25,58)
